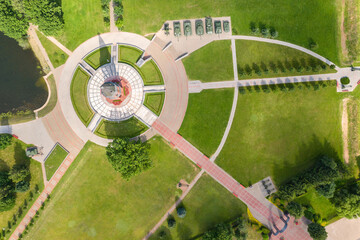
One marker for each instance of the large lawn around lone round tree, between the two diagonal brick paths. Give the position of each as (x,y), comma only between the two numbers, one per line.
(92,201)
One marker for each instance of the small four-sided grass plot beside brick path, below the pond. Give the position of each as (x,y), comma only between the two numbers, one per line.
(54,160)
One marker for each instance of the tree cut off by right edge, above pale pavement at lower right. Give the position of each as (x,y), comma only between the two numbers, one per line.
(347,200)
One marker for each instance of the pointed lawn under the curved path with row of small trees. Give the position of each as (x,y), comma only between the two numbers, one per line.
(258,60)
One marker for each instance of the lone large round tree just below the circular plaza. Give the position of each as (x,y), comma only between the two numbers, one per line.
(128,157)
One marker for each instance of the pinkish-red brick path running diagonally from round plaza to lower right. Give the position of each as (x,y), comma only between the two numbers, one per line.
(272,218)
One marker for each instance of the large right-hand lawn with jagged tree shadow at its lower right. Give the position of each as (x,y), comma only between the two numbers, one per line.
(279,134)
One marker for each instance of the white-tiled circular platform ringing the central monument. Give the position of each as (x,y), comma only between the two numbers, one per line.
(124,107)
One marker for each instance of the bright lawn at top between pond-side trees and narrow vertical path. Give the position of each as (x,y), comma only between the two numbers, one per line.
(83,20)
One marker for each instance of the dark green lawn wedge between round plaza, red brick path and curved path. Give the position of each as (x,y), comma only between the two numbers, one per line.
(206,118)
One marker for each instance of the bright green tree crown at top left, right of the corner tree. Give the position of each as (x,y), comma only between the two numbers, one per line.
(47,14)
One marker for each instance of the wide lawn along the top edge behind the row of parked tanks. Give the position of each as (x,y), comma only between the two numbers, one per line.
(296,22)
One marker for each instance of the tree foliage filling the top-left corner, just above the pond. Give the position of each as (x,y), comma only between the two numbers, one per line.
(12,23)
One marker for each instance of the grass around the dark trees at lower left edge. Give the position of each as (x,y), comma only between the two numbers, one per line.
(15,154)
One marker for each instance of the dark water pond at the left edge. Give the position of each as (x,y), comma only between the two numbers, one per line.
(21,84)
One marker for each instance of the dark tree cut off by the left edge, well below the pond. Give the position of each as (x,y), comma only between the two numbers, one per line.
(7,196)
